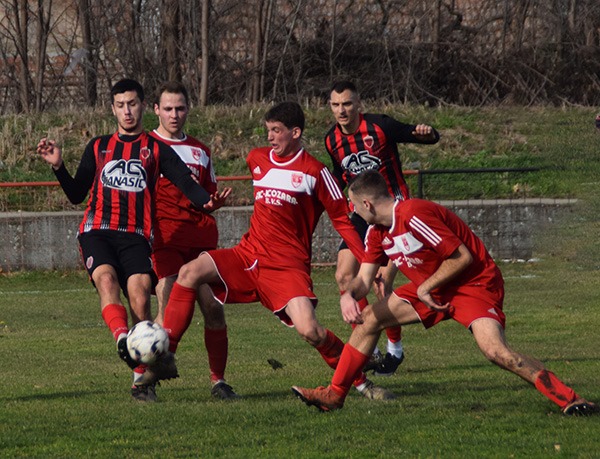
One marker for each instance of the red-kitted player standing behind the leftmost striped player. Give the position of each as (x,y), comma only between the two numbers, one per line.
(182,231)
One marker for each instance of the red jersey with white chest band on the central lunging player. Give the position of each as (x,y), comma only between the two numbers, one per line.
(290,194)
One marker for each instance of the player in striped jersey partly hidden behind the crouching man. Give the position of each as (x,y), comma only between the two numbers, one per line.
(360,142)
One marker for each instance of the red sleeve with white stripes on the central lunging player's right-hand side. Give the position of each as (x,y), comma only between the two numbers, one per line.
(330,194)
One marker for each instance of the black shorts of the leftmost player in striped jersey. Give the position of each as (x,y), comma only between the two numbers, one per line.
(128,253)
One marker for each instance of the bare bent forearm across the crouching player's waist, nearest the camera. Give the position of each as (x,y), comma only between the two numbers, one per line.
(450,268)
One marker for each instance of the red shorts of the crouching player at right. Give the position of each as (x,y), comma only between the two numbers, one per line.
(468,303)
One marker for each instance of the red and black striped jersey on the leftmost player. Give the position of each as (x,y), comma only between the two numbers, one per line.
(121,174)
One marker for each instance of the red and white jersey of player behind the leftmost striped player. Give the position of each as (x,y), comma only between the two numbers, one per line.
(177,220)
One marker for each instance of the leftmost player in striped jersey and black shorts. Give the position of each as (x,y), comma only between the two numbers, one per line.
(119,172)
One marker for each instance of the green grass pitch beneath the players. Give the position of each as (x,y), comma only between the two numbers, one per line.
(64,393)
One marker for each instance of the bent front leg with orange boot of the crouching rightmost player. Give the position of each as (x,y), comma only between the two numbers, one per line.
(390,311)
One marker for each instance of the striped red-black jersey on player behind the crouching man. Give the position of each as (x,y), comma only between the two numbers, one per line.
(372,146)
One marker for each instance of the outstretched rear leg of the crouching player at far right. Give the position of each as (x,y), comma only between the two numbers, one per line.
(490,338)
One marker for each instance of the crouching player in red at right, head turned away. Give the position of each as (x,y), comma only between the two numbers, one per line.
(452,276)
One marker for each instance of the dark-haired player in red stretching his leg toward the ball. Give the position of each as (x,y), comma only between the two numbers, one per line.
(272,263)
